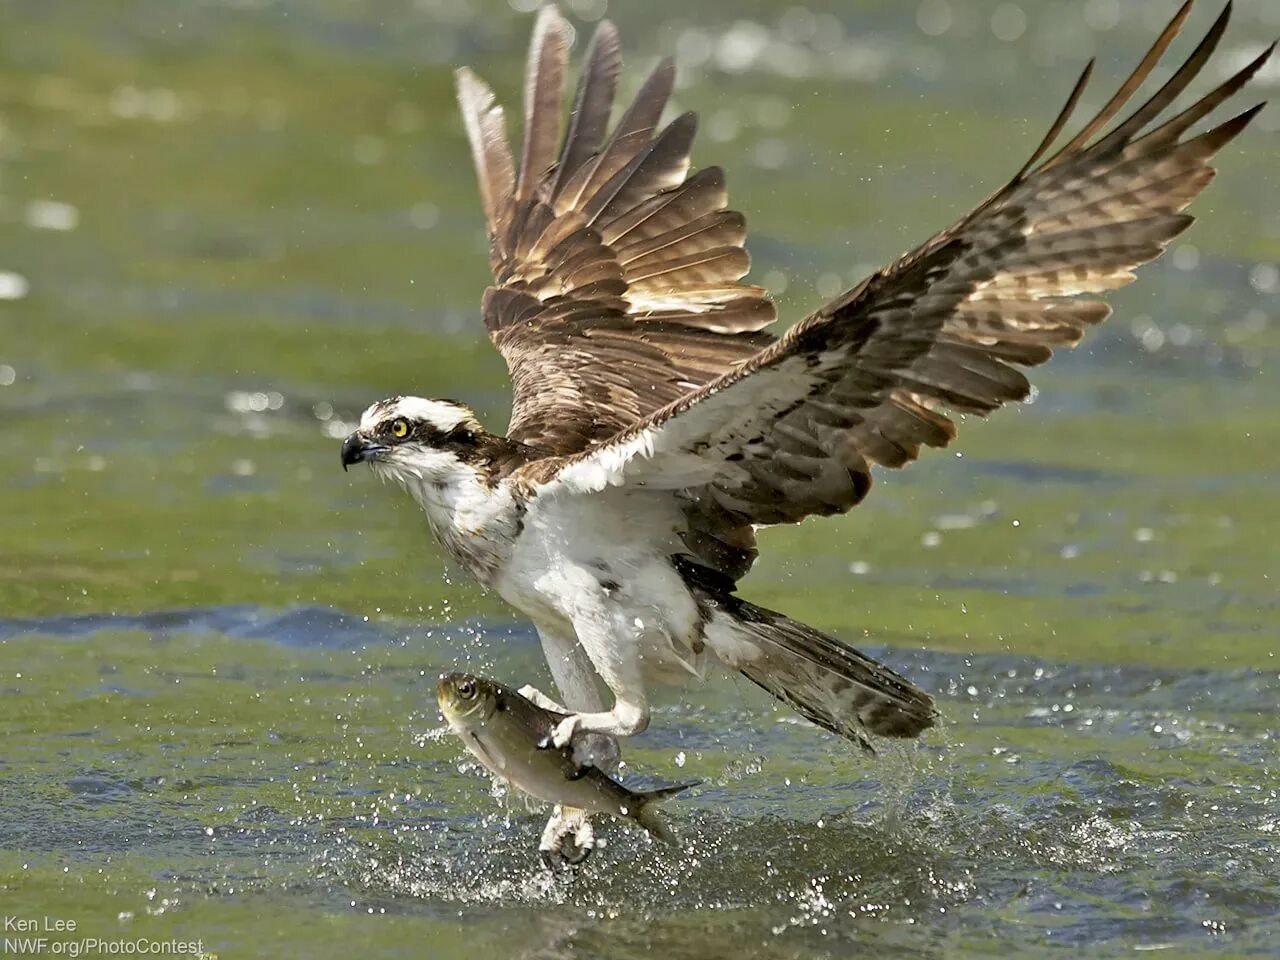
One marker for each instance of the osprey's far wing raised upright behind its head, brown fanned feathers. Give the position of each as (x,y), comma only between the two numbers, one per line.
(616,275)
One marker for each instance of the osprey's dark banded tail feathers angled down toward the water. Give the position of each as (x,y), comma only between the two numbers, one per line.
(821,679)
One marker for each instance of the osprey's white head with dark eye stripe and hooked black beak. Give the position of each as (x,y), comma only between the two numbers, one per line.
(418,442)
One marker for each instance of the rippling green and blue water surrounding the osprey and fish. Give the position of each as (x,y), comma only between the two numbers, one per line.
(227,226)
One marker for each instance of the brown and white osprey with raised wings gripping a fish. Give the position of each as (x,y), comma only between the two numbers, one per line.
(656,424)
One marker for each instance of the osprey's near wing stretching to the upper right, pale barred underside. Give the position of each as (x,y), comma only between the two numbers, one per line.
(866,380)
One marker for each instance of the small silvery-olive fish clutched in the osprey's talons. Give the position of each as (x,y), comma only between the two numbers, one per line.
(513,737)
